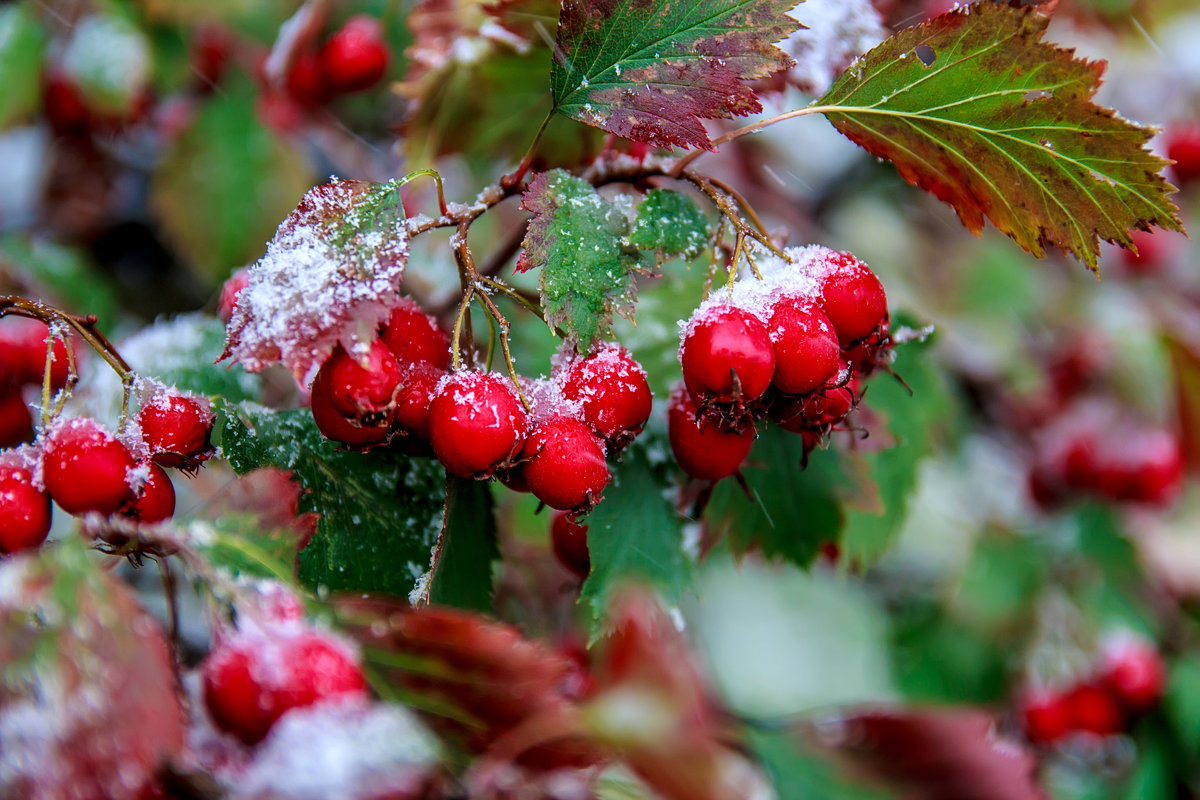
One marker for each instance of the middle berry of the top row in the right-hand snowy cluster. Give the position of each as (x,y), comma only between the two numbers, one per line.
(806,344)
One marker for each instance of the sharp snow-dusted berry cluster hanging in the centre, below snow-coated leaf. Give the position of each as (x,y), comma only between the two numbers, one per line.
(549,437)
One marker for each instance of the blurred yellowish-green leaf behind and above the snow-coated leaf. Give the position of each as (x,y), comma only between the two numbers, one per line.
(226,184)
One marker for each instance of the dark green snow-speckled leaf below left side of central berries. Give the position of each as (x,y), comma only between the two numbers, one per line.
(380,512)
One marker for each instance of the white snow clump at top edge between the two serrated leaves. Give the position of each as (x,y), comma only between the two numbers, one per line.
(838,33)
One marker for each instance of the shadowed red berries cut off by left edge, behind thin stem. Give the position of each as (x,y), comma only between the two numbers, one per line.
(23,364)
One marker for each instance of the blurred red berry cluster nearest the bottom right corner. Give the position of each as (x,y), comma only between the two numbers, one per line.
(1127,682)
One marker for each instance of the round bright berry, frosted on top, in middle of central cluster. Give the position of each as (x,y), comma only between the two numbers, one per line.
(477,423)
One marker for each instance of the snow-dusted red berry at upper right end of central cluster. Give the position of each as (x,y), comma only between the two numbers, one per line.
(613,389)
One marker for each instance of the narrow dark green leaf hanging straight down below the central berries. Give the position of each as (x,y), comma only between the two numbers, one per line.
(461,574)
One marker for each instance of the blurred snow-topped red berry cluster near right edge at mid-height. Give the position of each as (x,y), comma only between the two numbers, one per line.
(1095,450)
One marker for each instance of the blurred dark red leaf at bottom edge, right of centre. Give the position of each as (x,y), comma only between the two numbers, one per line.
(941,755)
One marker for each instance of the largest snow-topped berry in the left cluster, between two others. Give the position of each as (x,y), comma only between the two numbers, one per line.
(86,468)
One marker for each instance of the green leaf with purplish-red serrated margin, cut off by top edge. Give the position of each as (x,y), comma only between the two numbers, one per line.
(653,70)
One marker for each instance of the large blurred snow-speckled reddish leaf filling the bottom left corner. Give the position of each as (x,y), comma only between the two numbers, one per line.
(89,707)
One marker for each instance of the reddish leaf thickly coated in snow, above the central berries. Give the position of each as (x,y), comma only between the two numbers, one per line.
(332,275)
